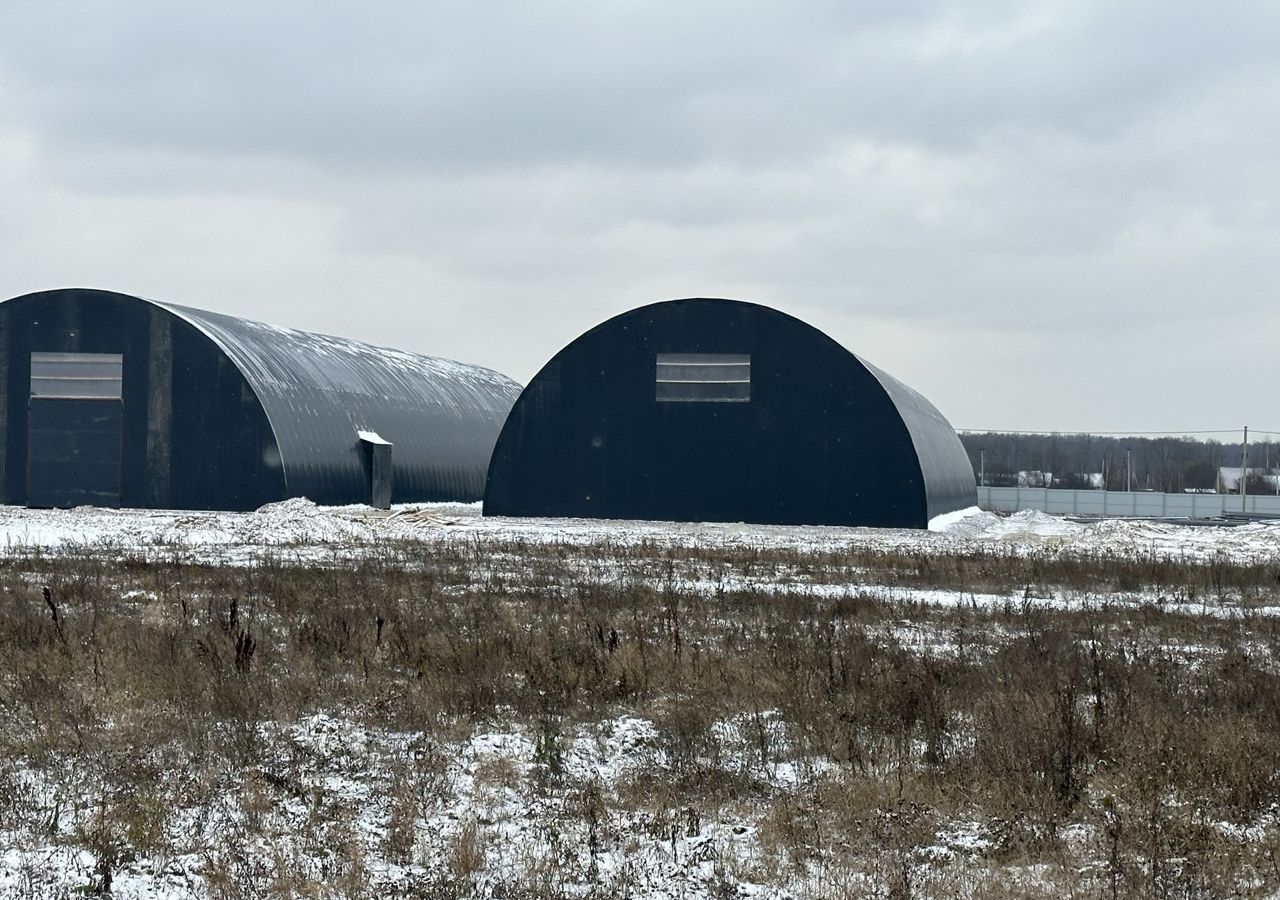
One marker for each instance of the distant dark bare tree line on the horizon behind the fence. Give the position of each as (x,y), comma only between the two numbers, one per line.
(1081,462)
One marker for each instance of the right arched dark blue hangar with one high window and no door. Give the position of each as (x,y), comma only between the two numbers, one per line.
(717,410)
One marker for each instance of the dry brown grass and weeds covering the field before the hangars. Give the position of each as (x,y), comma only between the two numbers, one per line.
(1098,750)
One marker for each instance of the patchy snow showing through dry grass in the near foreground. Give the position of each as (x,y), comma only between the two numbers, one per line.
(502,808)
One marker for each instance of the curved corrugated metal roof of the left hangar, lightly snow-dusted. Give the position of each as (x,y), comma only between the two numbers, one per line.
(321,392)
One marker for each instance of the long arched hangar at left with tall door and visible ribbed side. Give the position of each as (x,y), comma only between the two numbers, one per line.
(113,400)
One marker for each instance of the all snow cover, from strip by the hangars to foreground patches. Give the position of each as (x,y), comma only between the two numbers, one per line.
(583,807)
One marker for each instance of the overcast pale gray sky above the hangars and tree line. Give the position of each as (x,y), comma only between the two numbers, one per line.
(1041,216)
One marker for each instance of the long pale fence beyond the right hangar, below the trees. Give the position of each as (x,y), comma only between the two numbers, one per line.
(1123,502)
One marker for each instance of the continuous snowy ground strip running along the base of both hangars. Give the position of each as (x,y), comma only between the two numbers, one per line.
(300,529)
